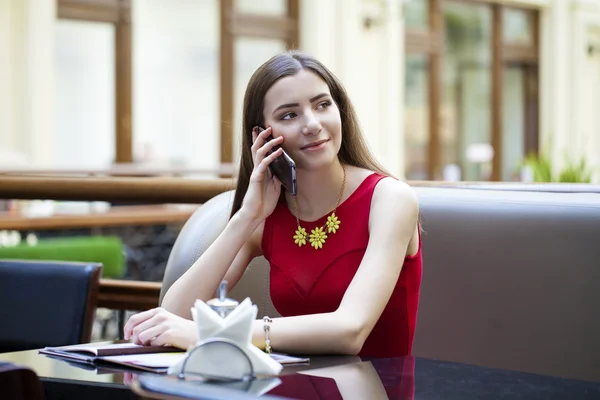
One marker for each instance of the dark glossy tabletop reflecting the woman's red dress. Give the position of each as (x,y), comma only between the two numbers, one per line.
(331,377)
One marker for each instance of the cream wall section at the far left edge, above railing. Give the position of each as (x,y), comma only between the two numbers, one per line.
(26,76)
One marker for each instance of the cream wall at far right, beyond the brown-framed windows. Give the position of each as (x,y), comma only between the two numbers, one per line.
(565,76)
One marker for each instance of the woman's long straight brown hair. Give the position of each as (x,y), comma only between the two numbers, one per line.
(353,150)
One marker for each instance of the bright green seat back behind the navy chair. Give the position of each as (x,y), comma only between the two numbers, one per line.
(107,250)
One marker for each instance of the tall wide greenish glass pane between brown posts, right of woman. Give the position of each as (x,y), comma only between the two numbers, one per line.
(465,133)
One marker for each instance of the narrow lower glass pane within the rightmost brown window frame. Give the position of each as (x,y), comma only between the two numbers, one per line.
(513,121)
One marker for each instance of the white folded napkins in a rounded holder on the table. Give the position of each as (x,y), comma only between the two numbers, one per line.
(224,361)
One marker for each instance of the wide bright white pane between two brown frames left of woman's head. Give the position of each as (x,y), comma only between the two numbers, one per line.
(176,83)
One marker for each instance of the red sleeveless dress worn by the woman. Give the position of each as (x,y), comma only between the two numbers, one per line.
(308,281)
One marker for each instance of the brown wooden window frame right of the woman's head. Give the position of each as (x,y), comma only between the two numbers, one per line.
(430,43)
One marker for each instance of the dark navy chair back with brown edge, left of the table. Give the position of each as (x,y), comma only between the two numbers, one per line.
(46,303)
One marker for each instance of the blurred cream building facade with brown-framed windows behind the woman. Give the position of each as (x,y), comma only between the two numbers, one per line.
(445,89)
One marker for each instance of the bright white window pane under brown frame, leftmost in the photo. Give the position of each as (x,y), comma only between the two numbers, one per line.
(85,94)
